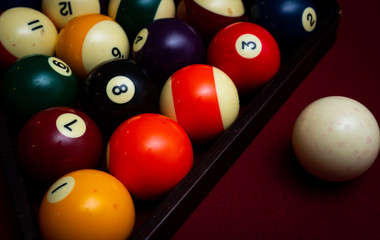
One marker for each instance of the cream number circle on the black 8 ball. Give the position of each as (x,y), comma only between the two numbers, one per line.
(120,89)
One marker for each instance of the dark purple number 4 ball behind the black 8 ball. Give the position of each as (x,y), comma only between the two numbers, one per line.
(167,45)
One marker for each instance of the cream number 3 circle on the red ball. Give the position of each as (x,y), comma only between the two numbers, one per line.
(248,46)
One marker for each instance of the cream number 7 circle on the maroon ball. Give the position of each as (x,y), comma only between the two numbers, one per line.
(71,125)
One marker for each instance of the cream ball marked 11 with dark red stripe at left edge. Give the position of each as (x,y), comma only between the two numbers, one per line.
(25,31)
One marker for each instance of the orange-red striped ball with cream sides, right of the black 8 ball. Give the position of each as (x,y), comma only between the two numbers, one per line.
(202,99)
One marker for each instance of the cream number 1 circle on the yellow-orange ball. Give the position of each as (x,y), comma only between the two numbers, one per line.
(60,189)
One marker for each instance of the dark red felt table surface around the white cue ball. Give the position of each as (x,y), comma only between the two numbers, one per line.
(266,194)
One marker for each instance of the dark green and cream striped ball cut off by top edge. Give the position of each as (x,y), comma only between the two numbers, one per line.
(135,15)
